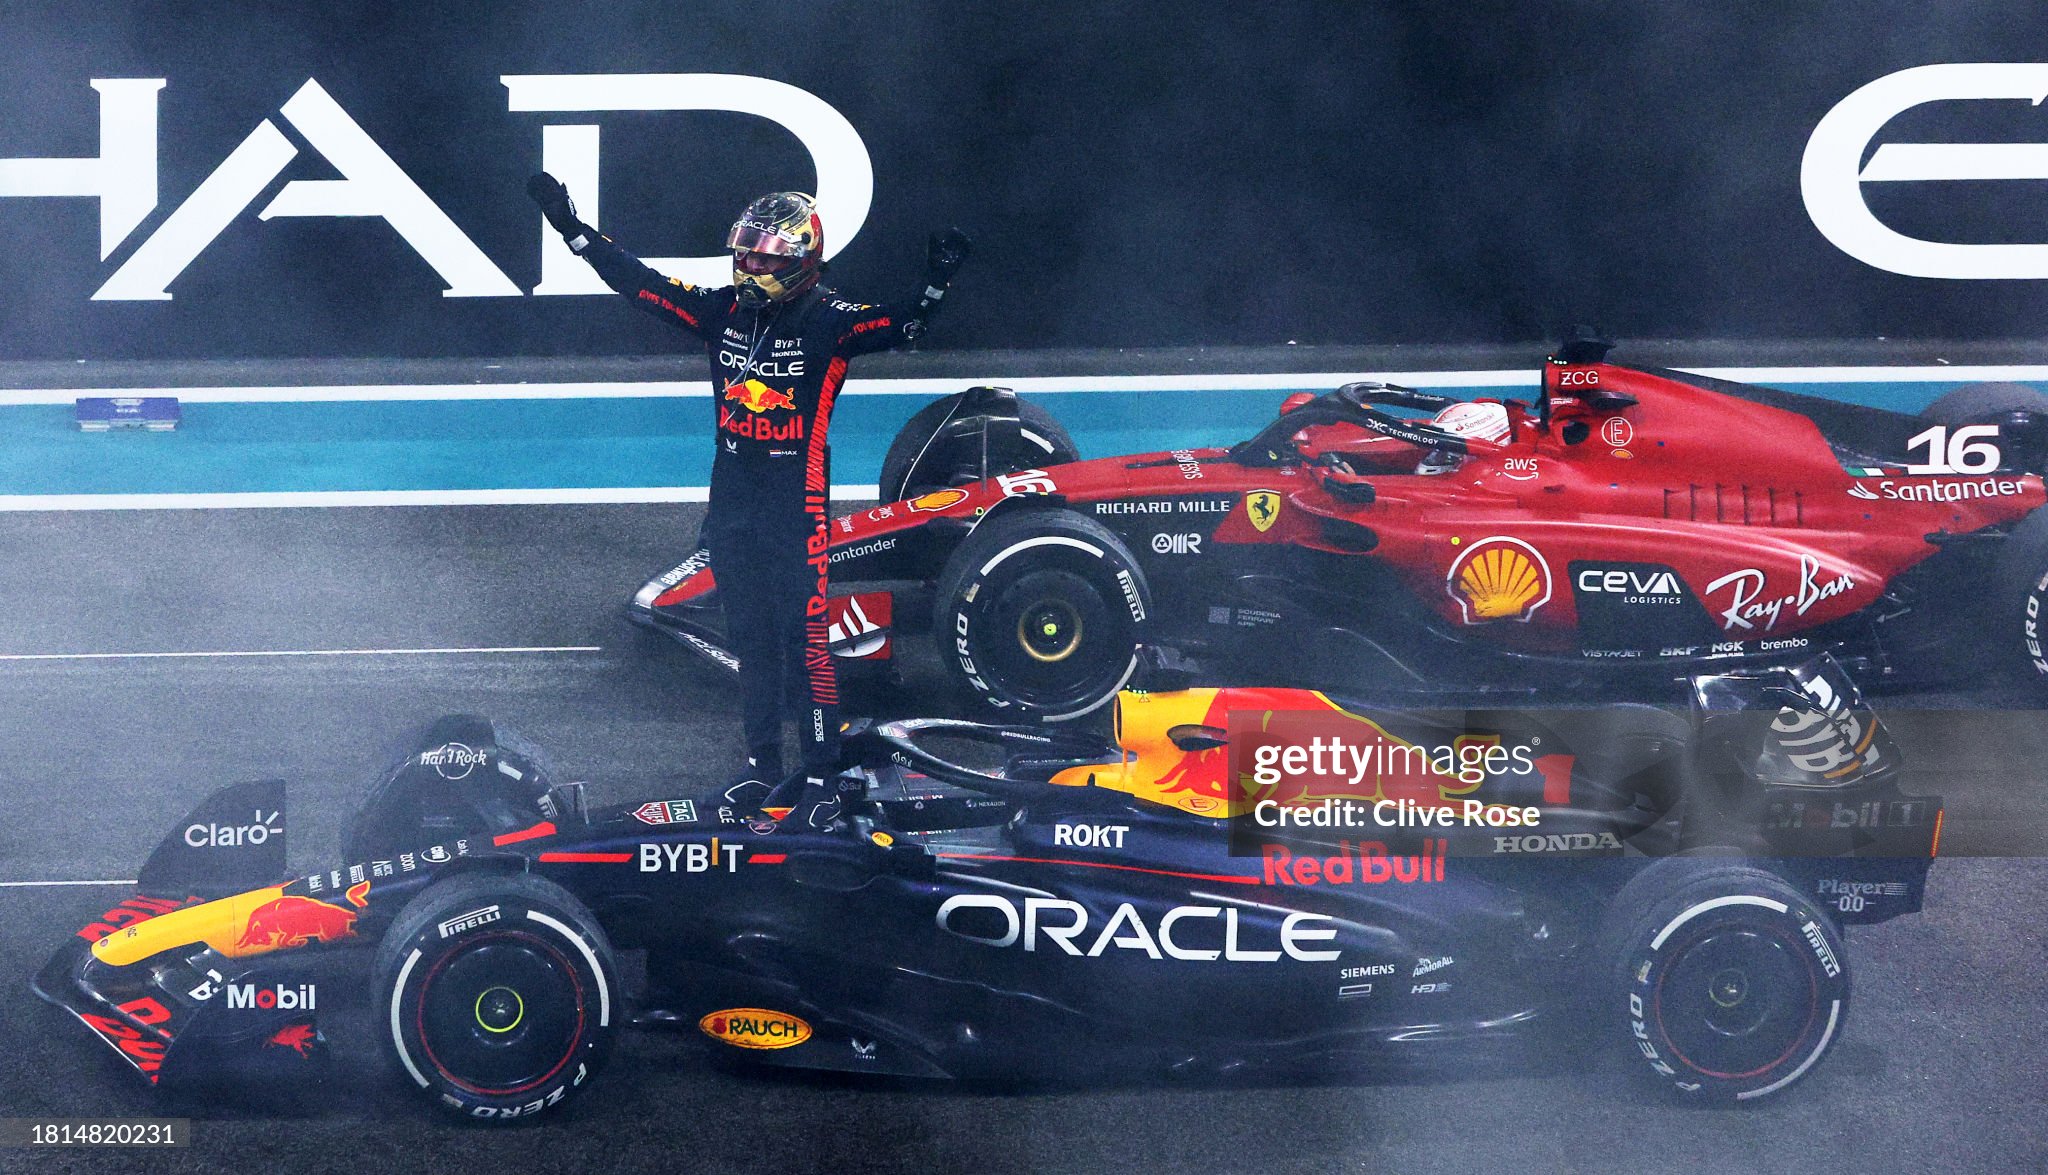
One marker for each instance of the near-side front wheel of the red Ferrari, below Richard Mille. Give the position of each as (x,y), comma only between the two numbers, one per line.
(1041,613)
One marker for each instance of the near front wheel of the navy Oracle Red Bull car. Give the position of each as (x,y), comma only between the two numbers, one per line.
(497,996)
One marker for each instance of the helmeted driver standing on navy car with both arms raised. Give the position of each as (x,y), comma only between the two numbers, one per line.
(779,347)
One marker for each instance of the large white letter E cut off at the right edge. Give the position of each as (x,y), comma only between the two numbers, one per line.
(1834,171)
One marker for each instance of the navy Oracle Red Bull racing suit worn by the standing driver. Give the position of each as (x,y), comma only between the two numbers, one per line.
(775,378)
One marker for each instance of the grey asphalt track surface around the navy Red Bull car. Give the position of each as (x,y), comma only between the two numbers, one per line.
(1940,1065)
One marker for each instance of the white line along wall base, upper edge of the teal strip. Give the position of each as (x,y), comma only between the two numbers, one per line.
(1035,384)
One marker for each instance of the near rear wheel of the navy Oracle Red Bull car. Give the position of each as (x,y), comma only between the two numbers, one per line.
(1719,980)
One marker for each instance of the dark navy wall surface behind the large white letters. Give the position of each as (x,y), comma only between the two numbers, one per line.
(1138,173)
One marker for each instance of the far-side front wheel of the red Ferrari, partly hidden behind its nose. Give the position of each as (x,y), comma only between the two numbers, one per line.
(943,447)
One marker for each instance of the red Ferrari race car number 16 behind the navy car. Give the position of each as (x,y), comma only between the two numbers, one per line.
(1623,531)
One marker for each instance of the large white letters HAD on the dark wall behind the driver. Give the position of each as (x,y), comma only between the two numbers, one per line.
(124,177)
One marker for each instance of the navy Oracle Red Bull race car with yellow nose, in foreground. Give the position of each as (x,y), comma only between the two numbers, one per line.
(1199,896)
